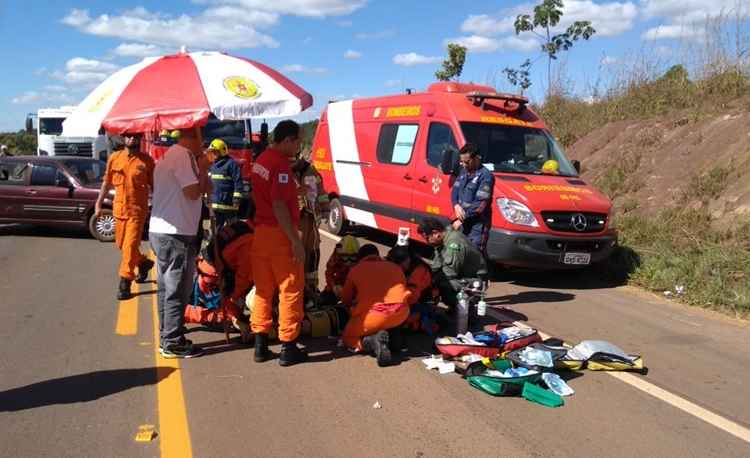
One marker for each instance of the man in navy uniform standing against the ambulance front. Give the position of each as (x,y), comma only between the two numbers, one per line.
(471,197)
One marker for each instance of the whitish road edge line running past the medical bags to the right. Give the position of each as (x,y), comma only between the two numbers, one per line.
(683,404)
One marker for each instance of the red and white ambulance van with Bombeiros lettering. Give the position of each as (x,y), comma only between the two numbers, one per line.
(390,161)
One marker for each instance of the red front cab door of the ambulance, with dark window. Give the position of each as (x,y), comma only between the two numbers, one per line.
(432,189)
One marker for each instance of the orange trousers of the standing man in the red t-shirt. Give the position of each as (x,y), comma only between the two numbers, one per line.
(274,269)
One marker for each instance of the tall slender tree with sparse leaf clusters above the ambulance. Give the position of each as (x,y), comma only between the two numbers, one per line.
(546,16)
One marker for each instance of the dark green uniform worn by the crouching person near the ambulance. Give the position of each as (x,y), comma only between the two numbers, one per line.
(455,260)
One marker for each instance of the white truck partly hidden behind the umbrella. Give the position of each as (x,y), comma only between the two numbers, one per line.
(51,142)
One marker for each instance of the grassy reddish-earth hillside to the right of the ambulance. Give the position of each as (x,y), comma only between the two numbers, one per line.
(674,156)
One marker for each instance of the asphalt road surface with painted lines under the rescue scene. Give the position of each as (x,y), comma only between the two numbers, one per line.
(71,386)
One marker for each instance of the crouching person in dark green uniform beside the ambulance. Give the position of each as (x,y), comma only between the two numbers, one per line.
(455,258)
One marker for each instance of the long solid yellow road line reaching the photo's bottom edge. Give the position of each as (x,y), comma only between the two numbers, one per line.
(174,434)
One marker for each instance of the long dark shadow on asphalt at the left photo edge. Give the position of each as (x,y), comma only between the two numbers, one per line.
(79,388)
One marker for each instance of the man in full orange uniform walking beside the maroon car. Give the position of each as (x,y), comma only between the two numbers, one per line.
(131,174)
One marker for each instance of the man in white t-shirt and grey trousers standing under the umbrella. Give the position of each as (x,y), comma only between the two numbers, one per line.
(180,179)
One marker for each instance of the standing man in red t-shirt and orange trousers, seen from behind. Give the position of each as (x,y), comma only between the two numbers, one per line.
(278,254)
